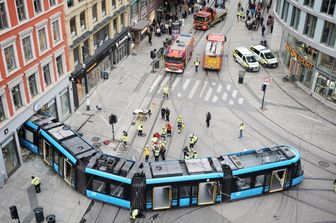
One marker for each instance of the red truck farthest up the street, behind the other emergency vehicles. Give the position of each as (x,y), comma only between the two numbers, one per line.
(208,17)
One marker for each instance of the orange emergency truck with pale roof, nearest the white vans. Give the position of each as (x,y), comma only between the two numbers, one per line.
(213,54)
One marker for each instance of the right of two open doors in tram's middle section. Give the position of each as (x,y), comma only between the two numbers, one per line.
(207,193)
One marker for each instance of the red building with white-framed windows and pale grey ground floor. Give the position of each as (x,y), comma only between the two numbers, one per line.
(34,71)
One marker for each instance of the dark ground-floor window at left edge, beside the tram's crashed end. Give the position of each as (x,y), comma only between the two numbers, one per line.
(9,152)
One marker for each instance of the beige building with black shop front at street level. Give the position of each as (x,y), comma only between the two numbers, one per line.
(99,39)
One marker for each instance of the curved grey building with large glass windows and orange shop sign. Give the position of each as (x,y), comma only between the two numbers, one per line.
(308,46)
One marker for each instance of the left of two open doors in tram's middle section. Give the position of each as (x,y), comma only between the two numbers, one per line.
(162,197)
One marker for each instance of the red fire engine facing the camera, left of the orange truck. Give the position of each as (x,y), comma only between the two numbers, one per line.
(179,54)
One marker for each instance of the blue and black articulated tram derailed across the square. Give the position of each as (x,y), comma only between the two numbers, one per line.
(159,185)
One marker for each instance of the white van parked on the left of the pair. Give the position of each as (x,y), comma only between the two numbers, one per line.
(246,58)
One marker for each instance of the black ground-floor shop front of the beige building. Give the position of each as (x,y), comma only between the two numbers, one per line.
(87,77)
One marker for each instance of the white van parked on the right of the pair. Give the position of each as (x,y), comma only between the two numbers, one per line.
(264,56)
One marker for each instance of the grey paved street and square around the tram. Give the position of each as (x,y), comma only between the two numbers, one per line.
(291,116)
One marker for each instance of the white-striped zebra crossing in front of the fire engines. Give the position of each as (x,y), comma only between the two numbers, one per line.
(194,89)
